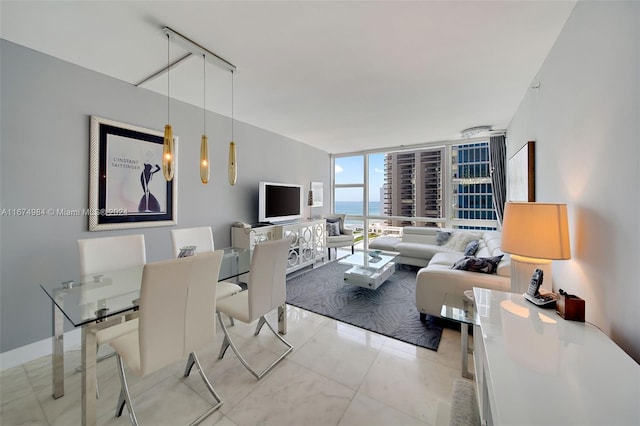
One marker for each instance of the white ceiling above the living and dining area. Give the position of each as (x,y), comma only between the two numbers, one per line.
(342,76)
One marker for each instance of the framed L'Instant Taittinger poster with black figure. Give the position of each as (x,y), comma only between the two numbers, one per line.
(126,186)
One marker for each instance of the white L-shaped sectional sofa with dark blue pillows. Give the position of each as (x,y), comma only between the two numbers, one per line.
(435,279)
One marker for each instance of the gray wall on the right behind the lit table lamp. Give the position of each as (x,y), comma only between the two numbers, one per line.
(585,119)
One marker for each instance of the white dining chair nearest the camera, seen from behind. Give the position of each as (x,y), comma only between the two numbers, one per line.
(177,297)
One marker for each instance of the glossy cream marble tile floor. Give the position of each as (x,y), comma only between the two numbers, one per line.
(337,375)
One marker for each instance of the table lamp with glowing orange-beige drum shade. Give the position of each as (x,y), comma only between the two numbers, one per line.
(534,234)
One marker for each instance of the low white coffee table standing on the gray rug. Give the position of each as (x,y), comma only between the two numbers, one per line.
(367,271)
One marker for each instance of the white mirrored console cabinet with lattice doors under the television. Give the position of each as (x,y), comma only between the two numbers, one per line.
(308,240)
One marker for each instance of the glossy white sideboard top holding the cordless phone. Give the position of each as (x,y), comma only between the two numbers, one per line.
(543,370)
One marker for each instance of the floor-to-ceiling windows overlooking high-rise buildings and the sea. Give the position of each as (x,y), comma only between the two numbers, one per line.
(445,186)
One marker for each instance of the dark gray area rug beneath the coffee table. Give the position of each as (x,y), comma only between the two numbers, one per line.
(390,310)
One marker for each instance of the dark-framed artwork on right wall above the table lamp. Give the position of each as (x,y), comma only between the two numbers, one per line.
(522,174)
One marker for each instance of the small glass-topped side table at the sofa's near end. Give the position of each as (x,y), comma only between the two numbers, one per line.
(459,308)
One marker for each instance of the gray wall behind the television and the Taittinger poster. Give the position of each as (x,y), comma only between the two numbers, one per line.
(46,105)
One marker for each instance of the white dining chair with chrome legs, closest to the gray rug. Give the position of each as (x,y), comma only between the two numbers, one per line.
(266,291)
